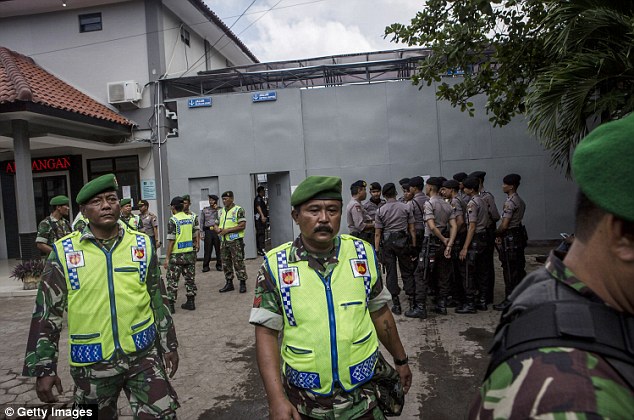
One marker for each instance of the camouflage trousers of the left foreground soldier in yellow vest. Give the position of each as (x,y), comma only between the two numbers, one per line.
(142,378)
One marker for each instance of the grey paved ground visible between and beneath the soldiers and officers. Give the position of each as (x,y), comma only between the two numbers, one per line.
(218,376)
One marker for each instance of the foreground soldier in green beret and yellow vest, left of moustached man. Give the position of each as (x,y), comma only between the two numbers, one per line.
(73,280)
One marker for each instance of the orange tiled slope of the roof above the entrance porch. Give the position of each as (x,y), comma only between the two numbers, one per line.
(23,80)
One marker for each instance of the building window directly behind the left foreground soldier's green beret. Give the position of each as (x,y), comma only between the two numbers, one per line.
(126,169)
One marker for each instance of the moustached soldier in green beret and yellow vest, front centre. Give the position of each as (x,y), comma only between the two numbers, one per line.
(320,255)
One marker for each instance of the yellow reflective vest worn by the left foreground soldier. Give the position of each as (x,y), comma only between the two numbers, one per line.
(108,303)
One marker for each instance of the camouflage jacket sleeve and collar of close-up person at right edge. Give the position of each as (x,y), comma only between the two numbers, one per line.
(554,382)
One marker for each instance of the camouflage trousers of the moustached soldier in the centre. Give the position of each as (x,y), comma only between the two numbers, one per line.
(360,403)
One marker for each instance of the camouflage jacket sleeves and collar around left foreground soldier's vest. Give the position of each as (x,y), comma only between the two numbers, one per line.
(46,324)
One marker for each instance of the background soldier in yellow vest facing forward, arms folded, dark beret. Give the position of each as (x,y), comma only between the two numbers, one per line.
(230,227)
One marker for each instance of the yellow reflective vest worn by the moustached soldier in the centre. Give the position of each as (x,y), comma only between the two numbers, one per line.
(328,334)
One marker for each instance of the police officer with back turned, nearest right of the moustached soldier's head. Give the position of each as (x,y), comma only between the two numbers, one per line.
(393,222)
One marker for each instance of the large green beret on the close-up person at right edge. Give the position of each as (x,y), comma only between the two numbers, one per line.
(603,163)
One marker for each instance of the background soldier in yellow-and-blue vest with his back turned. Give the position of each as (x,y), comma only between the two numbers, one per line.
(180,258)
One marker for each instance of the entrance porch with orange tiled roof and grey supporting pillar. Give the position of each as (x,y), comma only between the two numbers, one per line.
(37,107)
